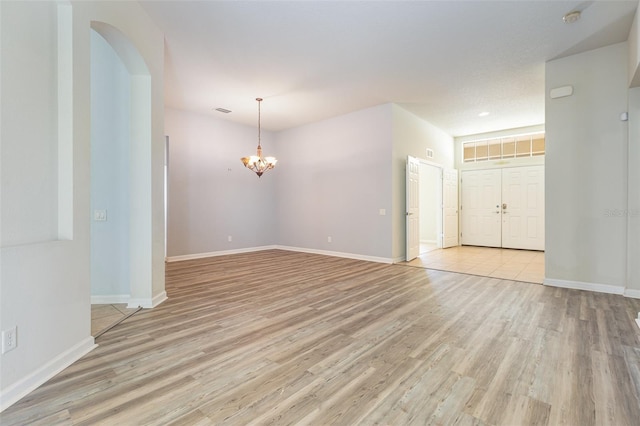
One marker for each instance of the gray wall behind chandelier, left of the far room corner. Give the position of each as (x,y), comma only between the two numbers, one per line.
(211,195)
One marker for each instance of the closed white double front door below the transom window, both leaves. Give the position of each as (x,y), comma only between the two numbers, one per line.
(503,208)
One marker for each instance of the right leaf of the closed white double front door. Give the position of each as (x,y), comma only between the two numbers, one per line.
(523,208)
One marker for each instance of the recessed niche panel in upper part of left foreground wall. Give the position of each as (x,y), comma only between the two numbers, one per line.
(30,119)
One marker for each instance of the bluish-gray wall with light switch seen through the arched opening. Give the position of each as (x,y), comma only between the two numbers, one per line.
(110,141)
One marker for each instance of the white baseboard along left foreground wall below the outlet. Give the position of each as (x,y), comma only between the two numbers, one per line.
(28,384)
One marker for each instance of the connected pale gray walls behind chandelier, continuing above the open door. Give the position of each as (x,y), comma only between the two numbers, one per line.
(333,179)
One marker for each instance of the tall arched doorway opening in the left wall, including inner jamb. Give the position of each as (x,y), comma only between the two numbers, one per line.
(121,165)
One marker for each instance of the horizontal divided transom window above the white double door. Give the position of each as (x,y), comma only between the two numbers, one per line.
(529,145)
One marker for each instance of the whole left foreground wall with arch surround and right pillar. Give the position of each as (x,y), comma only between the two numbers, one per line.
(45,280)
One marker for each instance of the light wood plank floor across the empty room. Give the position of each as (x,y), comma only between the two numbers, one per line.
(278,337)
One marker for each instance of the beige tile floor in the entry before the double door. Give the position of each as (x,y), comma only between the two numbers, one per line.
(517,265)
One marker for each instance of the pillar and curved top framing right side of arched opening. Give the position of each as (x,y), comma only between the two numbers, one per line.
(140,46)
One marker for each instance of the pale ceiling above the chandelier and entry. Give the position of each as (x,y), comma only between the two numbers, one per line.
(444,61)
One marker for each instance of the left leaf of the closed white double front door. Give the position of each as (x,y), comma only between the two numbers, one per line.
(481,208)
